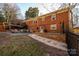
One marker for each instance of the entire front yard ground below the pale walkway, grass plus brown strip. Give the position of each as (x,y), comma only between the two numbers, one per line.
(22,45)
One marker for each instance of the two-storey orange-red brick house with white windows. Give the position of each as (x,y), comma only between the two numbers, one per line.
(56,21)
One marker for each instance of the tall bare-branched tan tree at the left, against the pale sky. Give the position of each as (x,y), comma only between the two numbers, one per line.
(10,12)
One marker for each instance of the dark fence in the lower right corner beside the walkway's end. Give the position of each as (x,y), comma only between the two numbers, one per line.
(72,41)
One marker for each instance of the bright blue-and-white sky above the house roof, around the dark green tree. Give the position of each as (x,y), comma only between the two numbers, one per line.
(43,8)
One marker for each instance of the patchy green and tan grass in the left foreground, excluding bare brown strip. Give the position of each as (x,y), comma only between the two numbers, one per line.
(21,46)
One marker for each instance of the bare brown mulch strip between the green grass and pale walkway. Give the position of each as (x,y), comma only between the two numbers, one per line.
(51,51)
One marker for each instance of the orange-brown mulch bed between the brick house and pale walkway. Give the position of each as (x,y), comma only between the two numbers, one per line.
(54,36)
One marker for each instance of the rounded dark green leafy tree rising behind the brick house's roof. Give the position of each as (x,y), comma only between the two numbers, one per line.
(31,13)
